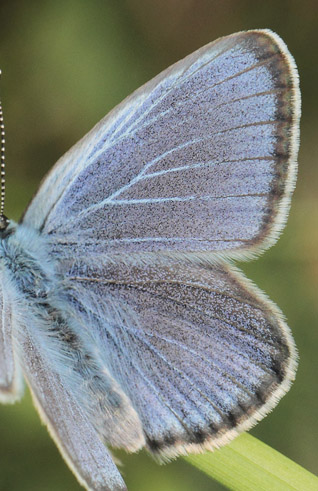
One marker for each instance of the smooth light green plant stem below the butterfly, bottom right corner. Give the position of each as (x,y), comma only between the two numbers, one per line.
(247,464)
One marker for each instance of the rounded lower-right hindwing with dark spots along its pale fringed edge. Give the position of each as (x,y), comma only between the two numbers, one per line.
(201,353)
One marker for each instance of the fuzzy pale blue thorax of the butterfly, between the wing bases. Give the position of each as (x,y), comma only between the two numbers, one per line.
(26,263)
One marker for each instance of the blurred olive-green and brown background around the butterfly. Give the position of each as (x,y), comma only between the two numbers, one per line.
(65,64)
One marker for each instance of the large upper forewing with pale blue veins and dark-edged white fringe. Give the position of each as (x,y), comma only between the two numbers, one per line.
(201,158)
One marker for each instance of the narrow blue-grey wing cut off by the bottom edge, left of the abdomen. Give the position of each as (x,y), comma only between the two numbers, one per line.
(67,421)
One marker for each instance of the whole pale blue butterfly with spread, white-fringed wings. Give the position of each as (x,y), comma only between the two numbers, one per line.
(121,307)
